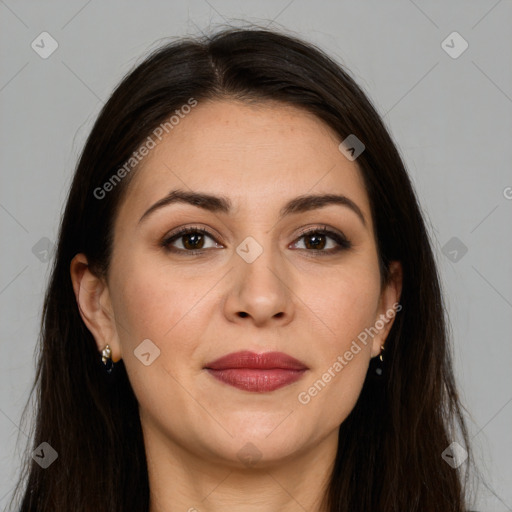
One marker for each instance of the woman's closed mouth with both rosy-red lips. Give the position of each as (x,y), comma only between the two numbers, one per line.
(258,373)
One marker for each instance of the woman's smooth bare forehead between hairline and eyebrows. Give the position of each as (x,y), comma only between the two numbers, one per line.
(260,155)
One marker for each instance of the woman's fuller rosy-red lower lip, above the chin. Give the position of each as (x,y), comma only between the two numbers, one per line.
(257,380)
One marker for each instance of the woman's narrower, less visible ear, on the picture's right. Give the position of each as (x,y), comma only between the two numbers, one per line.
(388,306)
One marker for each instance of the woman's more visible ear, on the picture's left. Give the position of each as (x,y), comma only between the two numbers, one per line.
(93,299)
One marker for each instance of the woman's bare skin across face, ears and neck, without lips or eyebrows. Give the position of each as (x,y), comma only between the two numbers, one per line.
(312,308)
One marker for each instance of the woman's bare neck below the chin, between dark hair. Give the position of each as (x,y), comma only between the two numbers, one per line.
(183,481)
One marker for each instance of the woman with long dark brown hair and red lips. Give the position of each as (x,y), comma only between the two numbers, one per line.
(244,311)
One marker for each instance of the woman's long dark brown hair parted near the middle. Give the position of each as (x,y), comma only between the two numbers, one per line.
(390,447)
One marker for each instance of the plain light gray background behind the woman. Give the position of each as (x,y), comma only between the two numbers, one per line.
(451,118)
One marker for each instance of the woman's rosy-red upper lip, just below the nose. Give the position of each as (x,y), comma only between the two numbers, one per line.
(251,360)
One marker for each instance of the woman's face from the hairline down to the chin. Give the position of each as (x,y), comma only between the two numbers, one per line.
(258,271)
